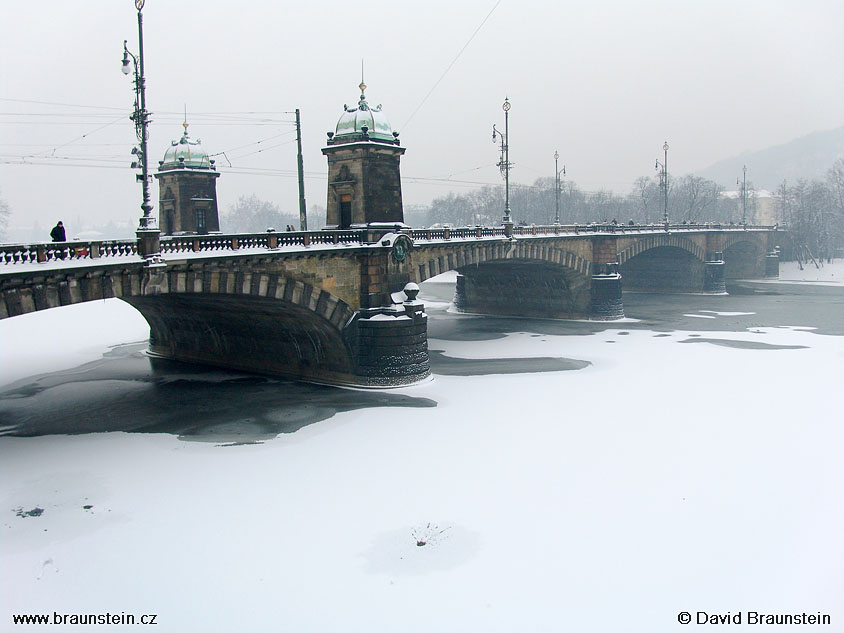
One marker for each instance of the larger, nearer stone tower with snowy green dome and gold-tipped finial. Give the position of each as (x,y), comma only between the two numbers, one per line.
(364,183)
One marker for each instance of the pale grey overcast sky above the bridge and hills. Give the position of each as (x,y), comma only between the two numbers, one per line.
(605,83)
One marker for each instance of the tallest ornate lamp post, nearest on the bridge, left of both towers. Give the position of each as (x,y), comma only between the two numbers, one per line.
(148,232)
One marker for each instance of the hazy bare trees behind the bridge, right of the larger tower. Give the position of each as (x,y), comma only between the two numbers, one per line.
(811,212)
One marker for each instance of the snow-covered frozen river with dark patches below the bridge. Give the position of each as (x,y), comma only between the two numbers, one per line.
(553,476)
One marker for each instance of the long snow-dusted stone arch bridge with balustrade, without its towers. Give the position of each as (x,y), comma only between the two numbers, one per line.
(340,306)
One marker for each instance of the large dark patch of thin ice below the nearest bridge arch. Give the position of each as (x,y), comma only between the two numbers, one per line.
(128,391)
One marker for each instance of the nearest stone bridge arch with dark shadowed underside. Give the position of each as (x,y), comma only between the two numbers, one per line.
(252,321)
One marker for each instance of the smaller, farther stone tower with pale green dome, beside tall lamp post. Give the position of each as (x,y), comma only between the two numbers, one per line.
(187,189)
